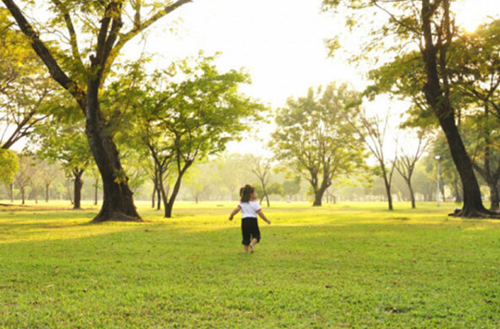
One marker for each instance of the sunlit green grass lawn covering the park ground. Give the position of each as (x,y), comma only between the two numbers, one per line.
(351,265)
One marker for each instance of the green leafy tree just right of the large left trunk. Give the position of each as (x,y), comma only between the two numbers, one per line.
(194,118)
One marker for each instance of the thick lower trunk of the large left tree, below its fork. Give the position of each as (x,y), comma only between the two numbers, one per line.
(118,203)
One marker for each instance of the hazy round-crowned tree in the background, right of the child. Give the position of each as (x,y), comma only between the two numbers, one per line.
(313,137)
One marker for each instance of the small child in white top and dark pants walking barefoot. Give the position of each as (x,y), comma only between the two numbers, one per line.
(250,208)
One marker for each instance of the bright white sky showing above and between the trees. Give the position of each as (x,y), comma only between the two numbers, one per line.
(279,42)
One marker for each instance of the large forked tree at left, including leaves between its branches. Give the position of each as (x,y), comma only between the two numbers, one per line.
(106,27)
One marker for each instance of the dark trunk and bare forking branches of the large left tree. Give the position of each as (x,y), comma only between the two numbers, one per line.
(118,203)
